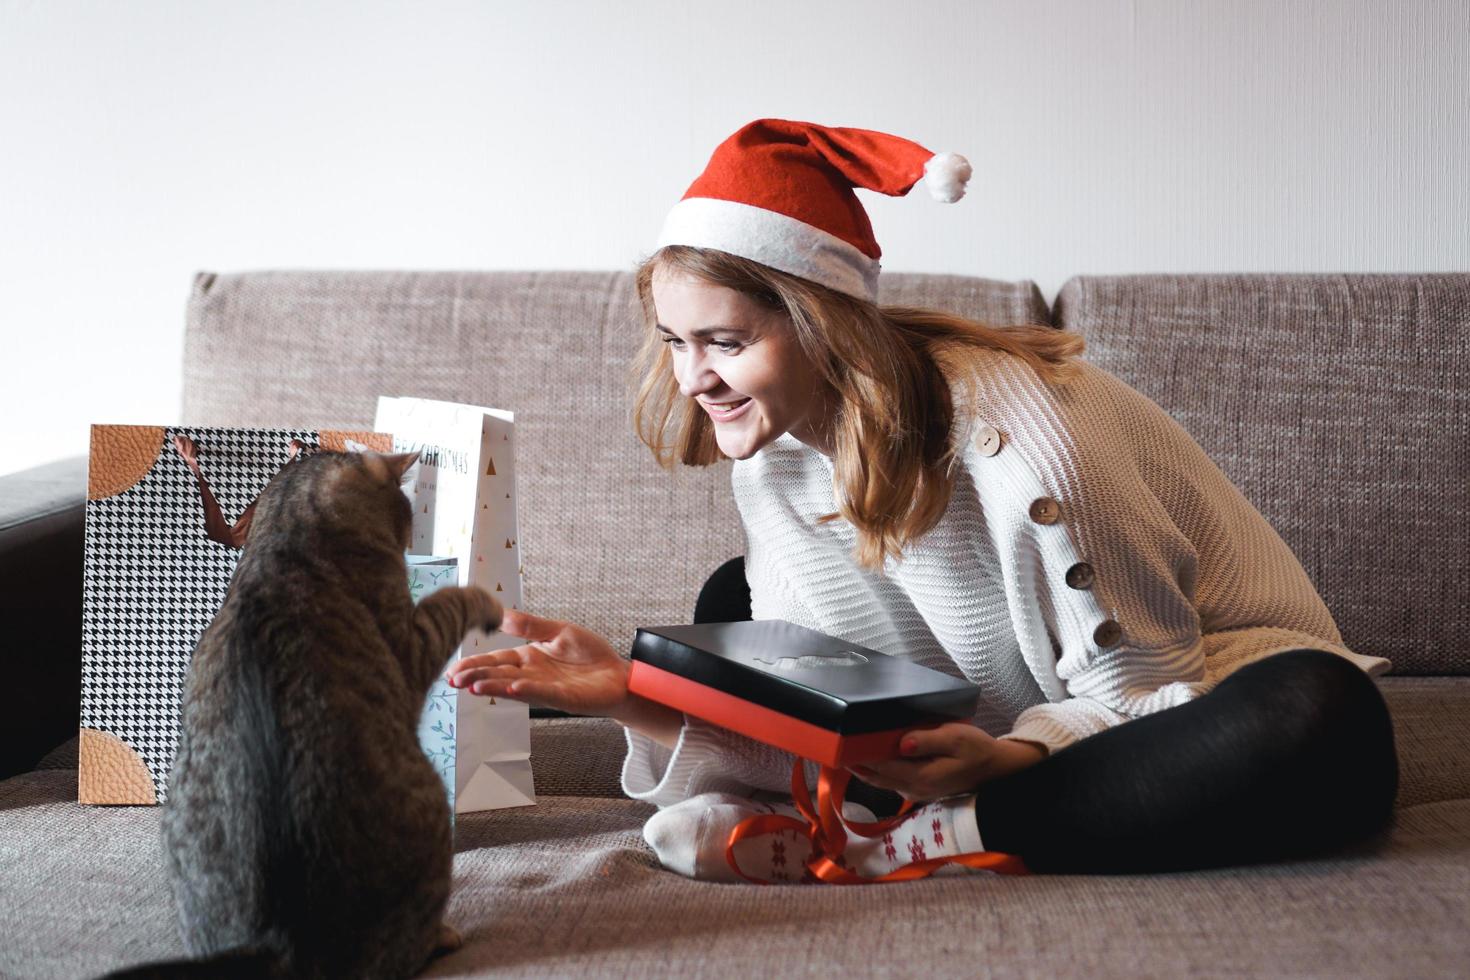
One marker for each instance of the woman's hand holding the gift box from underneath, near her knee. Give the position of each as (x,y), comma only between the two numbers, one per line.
(949,760)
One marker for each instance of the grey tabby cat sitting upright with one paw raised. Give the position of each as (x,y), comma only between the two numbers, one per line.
(306,835)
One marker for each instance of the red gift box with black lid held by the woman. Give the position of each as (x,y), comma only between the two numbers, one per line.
(811,694)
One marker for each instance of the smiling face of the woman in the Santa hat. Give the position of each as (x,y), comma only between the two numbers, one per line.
(742,362)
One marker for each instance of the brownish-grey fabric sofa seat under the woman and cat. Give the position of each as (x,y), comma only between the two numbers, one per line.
(570,888)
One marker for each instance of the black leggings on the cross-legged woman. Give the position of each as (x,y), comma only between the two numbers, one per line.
(1288,757)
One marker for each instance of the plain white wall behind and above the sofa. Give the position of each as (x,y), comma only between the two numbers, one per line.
(142,142)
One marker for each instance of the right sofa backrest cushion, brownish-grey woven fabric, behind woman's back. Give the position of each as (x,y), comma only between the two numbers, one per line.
(1340,405)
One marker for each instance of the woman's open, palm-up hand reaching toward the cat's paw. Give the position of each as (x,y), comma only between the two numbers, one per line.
(564,668)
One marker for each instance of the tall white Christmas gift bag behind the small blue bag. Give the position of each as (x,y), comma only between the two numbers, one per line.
(464,508)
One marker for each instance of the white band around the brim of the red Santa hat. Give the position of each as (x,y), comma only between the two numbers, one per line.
(772,240)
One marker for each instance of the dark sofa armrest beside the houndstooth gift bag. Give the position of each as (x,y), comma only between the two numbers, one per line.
(42,522)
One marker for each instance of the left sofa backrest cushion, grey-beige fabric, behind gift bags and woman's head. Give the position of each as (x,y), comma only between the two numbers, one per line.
(608,540)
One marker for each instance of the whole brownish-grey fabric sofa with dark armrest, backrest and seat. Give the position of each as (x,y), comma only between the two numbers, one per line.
(1338,403)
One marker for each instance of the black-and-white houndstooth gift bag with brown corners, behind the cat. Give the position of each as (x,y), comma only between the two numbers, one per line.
(167,514)
